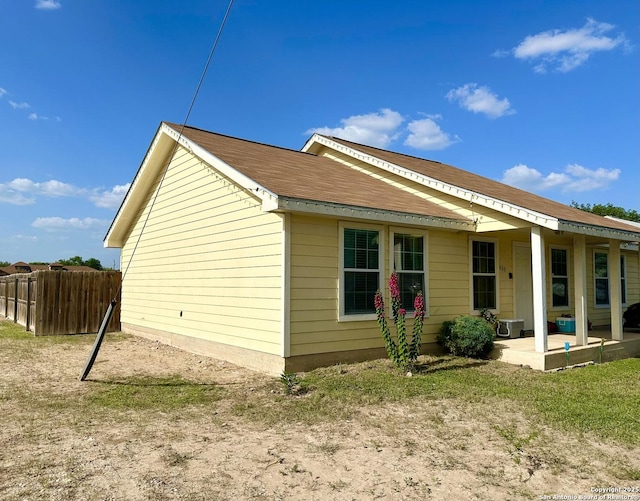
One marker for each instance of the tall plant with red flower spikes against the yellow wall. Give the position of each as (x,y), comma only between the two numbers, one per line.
(402,353)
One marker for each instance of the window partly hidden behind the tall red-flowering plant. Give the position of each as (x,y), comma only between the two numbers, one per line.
(408,261)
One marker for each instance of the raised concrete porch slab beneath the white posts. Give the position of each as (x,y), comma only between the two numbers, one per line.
(521,351)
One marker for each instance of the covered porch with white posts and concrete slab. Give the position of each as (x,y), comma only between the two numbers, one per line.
(582,272)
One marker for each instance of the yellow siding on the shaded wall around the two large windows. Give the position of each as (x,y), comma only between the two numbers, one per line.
(314,287)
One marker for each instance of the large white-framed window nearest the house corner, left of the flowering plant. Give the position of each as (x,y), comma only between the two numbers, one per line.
(361,266)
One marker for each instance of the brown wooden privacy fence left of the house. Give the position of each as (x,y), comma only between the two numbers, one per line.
(61,302)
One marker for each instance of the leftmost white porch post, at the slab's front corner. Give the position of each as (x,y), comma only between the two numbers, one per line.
(539,271)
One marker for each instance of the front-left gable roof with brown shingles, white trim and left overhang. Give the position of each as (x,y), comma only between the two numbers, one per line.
(284,179)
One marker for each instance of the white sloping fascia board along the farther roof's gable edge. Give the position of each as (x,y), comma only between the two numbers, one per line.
(519,212)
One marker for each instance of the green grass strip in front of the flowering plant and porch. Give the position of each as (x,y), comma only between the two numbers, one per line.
(599,399)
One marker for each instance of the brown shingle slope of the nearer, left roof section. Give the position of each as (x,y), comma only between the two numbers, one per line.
(295,174)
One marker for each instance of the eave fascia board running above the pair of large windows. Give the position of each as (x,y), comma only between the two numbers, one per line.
(288,204)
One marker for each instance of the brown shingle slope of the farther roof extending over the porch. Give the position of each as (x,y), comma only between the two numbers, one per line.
(474,182)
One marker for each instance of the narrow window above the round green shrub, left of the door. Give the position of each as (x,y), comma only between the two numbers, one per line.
(483,269)
